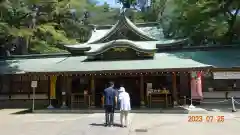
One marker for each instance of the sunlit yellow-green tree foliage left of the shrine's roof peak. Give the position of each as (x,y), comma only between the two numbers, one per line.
(44,26)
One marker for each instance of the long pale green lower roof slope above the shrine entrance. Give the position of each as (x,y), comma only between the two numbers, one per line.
(78,63)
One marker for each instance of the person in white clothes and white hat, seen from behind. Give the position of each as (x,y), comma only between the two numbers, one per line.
(125,106)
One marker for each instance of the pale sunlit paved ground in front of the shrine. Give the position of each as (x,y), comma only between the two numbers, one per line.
(140,124)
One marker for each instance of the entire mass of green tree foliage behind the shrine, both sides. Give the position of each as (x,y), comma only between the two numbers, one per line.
(44,26)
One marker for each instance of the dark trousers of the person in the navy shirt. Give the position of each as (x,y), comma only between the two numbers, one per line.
(109,114)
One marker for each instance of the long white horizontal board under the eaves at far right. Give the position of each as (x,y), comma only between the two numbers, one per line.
(226,75)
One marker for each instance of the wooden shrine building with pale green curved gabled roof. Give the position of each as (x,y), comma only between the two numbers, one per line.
(157,72)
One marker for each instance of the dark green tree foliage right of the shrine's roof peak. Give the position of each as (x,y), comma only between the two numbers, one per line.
(203,21)
